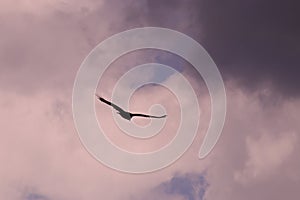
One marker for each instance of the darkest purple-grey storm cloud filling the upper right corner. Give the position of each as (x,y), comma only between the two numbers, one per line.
(255,41)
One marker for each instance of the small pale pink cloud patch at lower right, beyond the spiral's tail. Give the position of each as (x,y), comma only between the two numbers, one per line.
(266,155)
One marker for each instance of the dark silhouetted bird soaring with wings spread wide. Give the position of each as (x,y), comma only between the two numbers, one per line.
(126,115)
